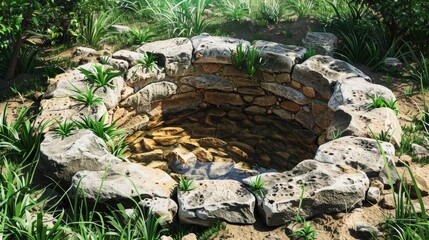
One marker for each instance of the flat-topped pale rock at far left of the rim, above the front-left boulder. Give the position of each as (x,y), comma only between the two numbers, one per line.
(66,108)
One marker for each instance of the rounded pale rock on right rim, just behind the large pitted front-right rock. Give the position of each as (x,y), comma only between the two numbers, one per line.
(360,153)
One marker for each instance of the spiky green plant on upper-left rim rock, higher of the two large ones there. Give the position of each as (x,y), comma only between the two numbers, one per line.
(101,76)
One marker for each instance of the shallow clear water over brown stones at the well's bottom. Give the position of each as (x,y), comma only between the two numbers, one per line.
(222,135)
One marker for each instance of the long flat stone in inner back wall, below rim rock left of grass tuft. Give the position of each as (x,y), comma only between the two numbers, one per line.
(207,81)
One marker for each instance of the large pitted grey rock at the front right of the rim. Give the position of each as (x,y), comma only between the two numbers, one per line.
(329,188)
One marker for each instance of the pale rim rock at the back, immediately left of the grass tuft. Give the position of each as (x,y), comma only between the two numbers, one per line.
(208,49)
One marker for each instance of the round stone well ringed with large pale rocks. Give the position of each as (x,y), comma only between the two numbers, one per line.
(197,115)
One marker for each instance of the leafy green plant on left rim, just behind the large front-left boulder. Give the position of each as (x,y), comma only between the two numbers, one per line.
(100,127)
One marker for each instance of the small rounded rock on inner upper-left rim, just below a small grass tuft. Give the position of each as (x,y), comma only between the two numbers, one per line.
(139,76)
